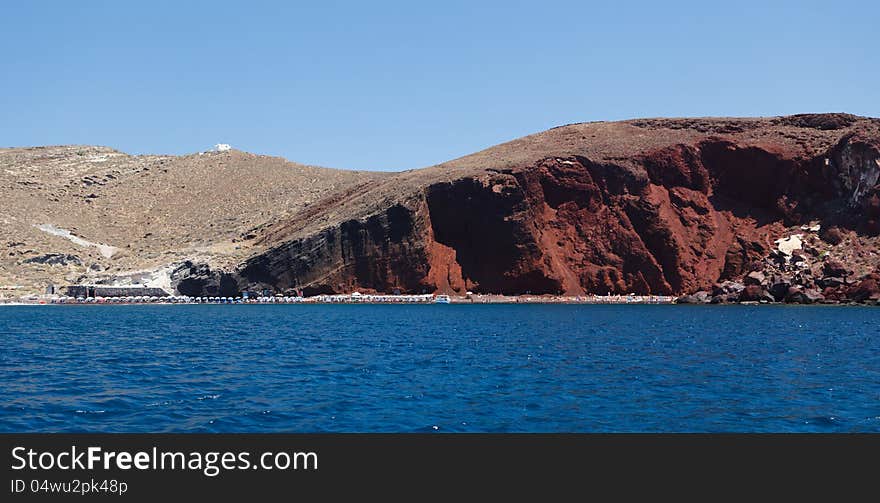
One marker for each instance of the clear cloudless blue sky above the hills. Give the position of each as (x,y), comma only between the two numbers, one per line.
(398,85)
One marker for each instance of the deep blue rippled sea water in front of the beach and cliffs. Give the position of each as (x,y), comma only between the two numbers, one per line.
(439,368)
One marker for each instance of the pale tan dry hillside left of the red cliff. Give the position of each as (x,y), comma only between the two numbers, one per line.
(80,214)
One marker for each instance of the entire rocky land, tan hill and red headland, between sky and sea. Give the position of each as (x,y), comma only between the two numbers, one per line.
(667,206)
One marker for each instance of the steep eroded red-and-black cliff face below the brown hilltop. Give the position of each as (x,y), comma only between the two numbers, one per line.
(669,220)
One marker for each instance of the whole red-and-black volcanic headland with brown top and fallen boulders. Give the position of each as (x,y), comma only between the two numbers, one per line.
(665,206)
